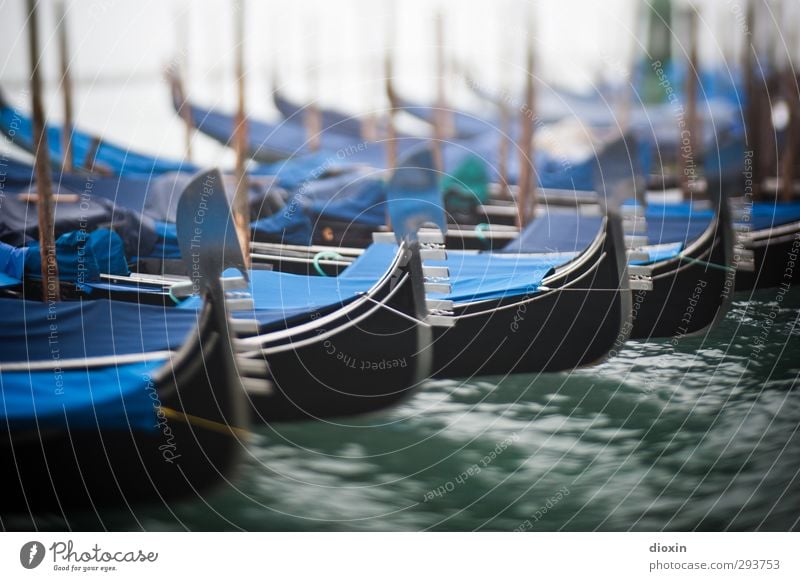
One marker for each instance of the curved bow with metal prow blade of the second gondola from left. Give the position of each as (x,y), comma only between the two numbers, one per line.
(373,350)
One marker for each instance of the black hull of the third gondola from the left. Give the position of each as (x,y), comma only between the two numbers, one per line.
(576,323)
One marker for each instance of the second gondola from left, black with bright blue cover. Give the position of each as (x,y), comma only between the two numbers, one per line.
(352,344)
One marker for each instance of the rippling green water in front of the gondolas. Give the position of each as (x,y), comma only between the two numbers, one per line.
(699,435)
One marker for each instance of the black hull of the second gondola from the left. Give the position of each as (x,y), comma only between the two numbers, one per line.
(353,361)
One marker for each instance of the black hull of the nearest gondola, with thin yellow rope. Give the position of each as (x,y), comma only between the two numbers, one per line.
(189,450)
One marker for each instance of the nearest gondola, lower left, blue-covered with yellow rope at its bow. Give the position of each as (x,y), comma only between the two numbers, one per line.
(127,409)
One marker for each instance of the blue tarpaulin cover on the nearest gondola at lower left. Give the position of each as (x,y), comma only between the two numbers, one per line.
(114,396)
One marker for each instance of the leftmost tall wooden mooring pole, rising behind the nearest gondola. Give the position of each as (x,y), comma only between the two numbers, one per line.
(51,290)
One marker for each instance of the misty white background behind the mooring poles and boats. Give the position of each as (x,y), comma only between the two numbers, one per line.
(119,49)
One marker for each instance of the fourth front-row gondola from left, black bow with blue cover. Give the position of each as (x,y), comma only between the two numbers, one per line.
(684,283)
